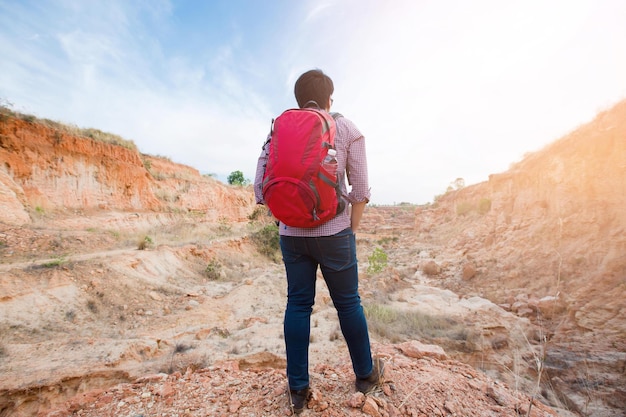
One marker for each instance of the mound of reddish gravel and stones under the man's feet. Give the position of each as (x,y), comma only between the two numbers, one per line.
(416,384)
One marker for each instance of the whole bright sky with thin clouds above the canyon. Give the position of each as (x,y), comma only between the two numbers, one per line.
(440,89)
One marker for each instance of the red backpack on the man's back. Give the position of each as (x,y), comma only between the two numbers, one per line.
(296,188)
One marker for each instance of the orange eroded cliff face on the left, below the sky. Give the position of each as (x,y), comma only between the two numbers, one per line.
(45,169)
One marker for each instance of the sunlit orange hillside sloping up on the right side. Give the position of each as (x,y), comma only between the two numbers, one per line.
(547,240)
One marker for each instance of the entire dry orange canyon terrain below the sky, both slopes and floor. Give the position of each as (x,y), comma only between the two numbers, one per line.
(132,285)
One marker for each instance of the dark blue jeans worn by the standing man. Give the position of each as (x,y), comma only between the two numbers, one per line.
(336,257)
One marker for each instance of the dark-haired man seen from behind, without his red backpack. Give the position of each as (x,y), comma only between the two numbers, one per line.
(332,247)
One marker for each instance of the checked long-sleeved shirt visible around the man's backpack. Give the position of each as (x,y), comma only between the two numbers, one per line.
(351,159)
